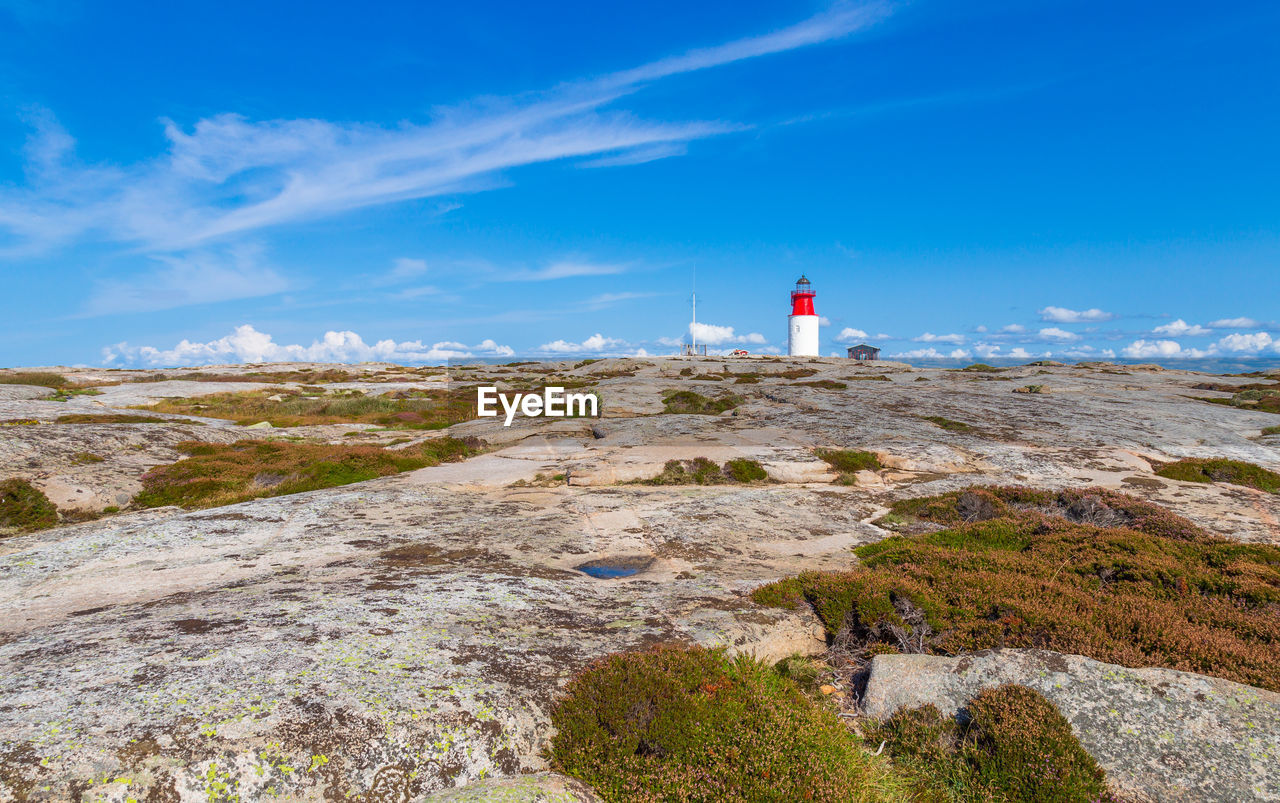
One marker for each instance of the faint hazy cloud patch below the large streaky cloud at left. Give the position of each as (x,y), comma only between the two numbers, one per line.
(195,279)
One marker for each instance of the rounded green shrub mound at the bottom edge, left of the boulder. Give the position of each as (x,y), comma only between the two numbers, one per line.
(674,724)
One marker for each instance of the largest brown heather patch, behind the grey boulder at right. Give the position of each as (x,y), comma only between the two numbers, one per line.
(1090,573)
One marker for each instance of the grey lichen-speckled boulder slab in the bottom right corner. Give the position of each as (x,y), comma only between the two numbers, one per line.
(1160,734)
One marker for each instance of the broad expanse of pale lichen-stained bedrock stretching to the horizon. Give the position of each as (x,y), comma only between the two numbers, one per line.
(403,637)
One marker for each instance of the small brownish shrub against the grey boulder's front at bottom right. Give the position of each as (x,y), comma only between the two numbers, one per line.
(1014,746)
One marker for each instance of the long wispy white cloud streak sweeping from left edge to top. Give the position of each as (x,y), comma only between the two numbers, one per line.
(227,175)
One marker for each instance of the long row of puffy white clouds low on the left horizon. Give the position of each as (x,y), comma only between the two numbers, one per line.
(249,345)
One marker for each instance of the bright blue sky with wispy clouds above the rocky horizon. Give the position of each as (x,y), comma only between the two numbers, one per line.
(195,182)
